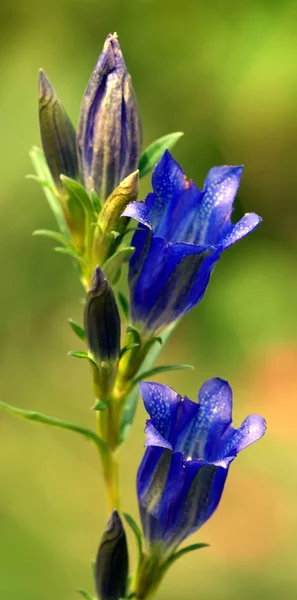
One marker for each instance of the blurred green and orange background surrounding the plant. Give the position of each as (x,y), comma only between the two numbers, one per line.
(225,73)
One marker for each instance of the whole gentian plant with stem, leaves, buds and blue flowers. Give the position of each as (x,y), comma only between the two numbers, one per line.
(91,179)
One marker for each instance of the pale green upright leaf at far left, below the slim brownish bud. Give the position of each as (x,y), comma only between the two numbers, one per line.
(44,175)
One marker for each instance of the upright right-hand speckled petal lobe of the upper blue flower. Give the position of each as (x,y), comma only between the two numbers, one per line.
(214,214)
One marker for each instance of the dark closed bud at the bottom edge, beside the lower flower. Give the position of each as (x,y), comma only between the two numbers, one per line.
(111,569)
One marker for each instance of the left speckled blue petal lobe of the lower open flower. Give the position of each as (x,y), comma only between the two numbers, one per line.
(161,403)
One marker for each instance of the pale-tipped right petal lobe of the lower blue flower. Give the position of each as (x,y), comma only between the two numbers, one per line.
(235,440)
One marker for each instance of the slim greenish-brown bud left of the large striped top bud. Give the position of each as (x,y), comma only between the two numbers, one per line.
(57,132)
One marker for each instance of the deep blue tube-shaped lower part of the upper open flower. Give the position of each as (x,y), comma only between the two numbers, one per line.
(172,280)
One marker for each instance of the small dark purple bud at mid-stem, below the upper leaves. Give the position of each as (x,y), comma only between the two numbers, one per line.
(102,320)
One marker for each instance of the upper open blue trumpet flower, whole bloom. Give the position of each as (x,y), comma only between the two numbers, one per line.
(182,233)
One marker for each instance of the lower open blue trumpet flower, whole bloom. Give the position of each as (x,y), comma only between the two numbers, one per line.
(190,447)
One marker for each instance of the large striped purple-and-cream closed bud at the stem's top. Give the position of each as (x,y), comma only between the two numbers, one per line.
(109,130)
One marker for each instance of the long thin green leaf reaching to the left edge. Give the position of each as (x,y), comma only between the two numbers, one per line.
(36,417)
